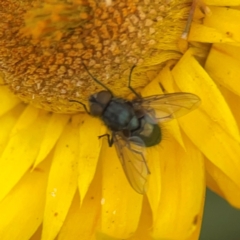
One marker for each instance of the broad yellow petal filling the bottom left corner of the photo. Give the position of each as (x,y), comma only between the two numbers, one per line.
(22,209)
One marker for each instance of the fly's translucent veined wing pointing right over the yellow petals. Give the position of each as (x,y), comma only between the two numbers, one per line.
(165,107)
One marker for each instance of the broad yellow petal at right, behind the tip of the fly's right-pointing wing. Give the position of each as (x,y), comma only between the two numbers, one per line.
(217,135)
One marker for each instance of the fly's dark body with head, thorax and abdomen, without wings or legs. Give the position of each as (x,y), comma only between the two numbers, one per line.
(119,114)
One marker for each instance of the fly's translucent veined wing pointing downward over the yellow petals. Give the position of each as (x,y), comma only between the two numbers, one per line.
(131,153)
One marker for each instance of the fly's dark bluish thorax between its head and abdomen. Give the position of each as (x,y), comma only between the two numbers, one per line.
(120,115)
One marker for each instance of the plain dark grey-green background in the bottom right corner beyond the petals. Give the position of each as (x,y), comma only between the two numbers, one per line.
(221,221)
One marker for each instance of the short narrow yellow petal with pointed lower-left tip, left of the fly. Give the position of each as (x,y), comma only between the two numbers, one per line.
(53,131)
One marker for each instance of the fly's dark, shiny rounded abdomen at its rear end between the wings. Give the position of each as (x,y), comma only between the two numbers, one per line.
(149,131)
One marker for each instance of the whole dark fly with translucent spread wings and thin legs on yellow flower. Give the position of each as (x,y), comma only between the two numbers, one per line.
(134,125)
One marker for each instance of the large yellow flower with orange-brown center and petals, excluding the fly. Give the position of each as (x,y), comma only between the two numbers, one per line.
(57,179)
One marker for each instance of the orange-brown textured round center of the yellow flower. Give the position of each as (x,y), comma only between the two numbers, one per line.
(43,48)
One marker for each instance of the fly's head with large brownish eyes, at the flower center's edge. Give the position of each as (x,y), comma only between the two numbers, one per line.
(98,102)
